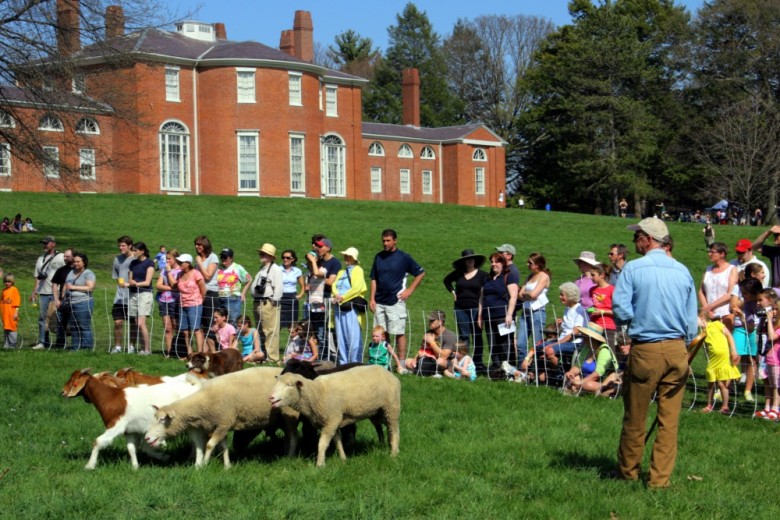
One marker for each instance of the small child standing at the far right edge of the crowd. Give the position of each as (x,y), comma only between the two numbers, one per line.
(768,301)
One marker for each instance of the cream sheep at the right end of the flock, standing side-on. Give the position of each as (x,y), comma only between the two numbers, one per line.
(336,400)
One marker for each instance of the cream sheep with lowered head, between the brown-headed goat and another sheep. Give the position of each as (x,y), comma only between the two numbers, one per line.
(234,401)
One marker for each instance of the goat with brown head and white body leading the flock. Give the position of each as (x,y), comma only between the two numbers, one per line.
(127,411)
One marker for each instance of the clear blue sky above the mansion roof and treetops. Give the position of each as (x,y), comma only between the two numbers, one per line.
(263,20)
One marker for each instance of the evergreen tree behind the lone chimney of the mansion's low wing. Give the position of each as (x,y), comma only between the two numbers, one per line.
(413,43)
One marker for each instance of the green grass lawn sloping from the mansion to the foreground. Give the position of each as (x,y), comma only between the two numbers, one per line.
(476,450)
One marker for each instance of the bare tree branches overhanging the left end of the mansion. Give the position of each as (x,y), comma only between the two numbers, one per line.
(42,67)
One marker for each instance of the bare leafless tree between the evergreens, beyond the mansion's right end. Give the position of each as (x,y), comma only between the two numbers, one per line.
(488,59)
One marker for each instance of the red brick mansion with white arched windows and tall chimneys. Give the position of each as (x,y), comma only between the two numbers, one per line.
(197,113)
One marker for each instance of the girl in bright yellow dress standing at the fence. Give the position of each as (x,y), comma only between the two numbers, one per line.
(723,357)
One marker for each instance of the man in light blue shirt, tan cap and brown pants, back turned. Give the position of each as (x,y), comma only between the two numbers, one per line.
(656,297)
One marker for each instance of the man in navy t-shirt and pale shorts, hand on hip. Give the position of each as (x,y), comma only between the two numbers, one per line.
(388,289)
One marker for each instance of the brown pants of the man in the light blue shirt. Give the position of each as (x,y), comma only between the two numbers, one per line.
(660,367)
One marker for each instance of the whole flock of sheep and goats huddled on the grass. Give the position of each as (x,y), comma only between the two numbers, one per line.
(206,405)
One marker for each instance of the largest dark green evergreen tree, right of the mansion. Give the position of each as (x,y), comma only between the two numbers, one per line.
(603,89)
